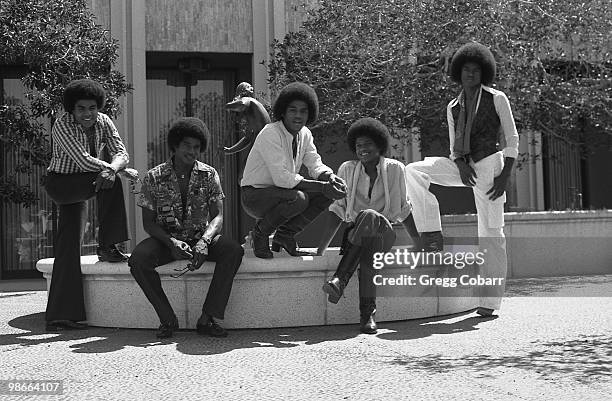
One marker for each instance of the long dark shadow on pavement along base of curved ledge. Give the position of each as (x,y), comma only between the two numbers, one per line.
(102,340)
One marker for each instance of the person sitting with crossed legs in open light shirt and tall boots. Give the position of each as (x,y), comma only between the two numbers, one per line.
(376,197)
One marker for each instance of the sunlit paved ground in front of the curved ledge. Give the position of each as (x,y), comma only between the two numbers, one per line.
(545,347)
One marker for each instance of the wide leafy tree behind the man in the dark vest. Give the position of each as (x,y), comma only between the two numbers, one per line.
(389,60)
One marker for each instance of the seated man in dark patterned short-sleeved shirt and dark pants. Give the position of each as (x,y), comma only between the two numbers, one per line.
(177,199)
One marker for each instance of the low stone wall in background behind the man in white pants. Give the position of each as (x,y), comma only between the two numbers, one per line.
(548,244)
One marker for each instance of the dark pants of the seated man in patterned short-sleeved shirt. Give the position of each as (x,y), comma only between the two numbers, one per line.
(152,253)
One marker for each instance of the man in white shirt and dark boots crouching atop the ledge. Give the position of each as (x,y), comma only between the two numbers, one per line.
(273,191)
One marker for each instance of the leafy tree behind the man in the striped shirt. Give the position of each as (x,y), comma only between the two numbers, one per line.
(57,41)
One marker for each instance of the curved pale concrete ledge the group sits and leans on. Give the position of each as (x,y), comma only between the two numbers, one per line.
(282,292)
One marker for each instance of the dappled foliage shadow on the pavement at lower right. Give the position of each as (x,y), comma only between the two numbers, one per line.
(587,359)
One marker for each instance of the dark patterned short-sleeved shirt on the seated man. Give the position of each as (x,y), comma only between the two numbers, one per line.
(161,193)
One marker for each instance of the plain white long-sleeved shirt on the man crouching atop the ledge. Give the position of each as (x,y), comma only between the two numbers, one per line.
(271,162)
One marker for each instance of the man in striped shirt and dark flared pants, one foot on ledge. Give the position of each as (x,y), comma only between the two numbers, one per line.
(77,172)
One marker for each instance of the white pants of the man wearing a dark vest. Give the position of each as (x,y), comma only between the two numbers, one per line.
(426,212)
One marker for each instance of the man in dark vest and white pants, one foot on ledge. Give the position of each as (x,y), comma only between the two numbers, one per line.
(483,147)
